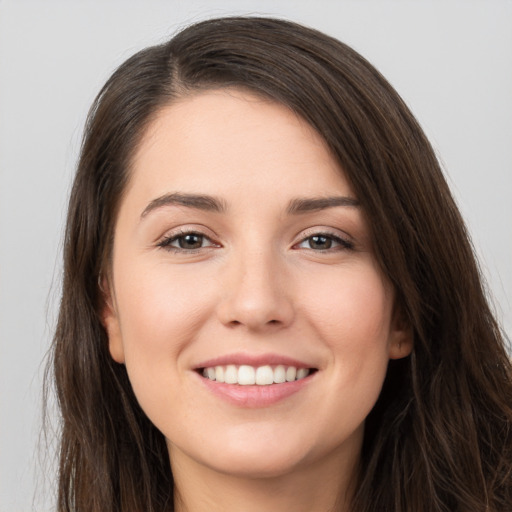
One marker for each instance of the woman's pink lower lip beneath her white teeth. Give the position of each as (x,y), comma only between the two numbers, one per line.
(255,396)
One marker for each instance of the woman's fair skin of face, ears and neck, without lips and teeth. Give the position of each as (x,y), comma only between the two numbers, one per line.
(257,284)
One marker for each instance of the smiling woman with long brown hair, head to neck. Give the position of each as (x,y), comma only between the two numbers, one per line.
(269,299)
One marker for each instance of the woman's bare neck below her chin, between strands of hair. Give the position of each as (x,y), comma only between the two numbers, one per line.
(314,488)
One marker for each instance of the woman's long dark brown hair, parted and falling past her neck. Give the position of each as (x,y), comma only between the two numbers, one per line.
(439,437)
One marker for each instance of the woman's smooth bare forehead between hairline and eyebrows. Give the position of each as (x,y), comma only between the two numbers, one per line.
(222,140)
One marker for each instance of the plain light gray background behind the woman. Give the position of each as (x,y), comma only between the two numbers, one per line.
(450,60)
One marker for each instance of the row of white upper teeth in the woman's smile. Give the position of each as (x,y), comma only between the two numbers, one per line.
(248,375)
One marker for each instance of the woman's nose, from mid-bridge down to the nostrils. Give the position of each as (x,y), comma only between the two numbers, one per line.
(256,292)
